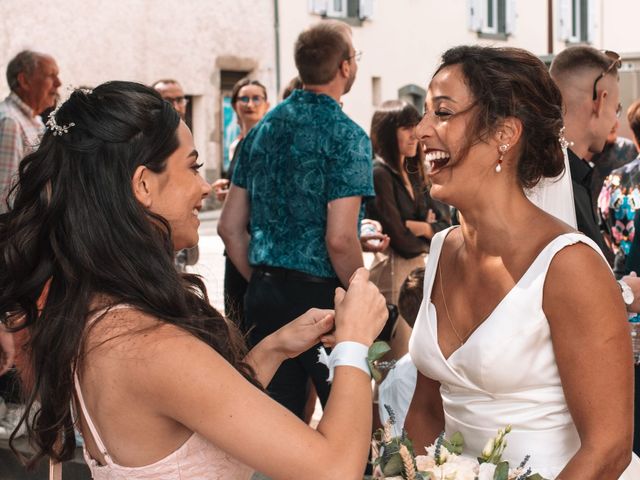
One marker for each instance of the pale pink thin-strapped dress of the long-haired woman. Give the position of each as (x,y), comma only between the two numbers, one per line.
(196,459)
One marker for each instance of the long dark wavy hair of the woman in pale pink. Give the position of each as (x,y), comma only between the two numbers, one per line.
(76,228)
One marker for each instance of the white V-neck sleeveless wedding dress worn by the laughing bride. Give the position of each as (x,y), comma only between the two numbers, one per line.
(505,373)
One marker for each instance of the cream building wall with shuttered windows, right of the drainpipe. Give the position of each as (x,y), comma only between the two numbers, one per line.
(403,41)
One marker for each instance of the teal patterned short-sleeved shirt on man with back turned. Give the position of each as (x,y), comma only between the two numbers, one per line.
(303,154)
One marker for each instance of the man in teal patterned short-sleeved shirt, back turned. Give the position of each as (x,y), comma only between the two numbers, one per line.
(299,182)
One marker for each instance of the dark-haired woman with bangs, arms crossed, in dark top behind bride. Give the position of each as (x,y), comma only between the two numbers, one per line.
(402,205)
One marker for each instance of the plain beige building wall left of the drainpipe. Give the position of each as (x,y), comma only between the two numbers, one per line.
(143,40)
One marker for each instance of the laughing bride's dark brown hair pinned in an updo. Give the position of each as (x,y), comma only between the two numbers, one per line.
(511,82)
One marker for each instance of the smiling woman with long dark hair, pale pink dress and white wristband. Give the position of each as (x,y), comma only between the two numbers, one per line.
(159,381)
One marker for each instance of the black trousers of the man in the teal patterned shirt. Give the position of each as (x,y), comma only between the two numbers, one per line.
(273,299)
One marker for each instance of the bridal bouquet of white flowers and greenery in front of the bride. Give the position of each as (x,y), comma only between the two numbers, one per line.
(393,458)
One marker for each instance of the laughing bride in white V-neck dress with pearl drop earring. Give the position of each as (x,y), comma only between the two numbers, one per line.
(522,322)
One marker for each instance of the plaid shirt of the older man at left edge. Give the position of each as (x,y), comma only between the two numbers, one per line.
(20,133)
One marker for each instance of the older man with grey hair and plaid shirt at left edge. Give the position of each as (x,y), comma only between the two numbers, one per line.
(33,80)
